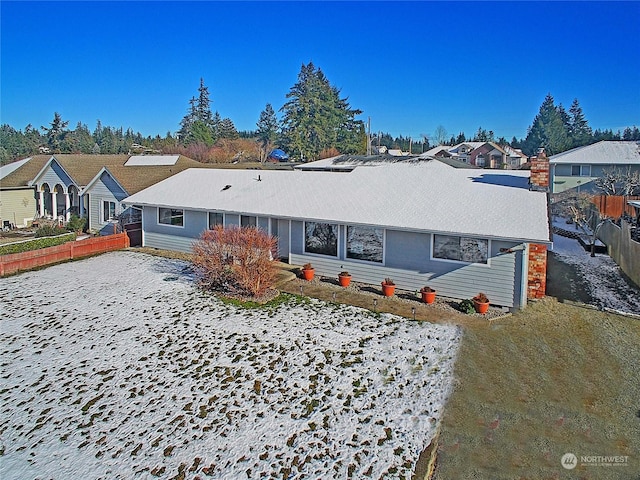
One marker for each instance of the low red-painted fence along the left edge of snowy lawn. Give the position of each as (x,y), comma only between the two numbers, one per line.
(17,262)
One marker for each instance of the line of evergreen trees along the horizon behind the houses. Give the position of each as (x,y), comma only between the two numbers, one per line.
(315,123)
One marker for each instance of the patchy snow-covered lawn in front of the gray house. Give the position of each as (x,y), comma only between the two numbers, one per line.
(117,367)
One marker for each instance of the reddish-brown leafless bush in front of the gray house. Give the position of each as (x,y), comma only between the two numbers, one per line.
(235,261)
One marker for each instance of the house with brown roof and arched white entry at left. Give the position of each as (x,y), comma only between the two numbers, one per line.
(89,185)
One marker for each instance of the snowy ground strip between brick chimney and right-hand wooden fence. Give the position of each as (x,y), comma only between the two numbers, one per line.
(601,274)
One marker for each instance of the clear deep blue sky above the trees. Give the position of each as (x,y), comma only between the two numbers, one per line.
(410,66)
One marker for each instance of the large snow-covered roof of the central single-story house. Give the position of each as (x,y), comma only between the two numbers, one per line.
(428,196)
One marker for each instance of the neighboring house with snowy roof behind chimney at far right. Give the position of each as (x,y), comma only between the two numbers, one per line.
(579,167)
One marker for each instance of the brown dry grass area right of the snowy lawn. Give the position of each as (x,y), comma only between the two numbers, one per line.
(550,380)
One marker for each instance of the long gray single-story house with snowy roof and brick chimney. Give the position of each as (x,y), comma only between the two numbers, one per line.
(421,223)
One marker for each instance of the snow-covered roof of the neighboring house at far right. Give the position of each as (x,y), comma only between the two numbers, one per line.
(602,153)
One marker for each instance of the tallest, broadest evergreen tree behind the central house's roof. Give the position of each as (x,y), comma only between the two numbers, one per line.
(316,118)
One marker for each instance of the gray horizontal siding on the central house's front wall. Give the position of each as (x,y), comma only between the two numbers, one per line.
(407,258)
